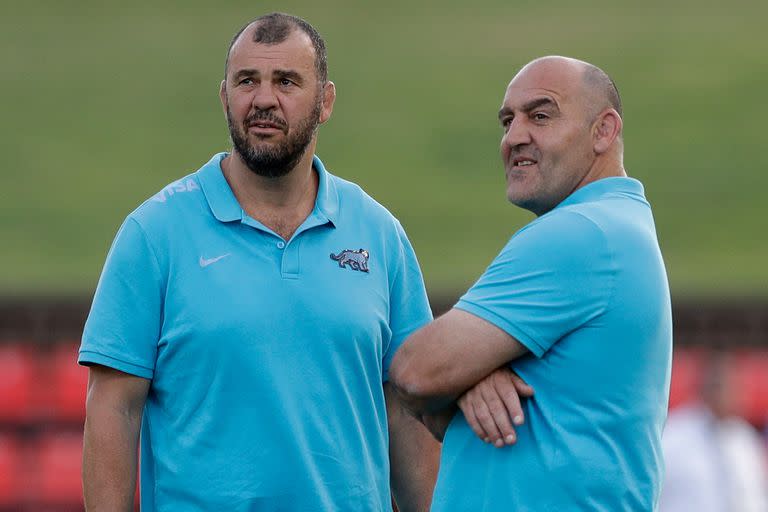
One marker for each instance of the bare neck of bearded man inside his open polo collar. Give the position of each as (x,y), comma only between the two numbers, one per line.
(281,204)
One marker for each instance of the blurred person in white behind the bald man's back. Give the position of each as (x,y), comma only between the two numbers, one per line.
(715,460)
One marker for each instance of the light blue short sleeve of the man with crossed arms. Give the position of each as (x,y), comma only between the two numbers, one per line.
(552,277)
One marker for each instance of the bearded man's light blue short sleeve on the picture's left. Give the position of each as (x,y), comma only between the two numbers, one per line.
(123,326)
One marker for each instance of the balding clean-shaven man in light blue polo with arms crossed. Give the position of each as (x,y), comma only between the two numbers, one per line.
(577,304)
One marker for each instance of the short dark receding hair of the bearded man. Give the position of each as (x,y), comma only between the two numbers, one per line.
(274,28)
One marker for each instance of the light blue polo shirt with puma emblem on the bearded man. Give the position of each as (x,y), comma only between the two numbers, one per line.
(266,357)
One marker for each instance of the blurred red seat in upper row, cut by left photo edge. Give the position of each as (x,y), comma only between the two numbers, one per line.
(16,385)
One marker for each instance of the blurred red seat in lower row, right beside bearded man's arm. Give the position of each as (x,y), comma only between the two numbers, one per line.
(57,468)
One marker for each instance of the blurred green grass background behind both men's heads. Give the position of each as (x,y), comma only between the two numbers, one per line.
(103,103)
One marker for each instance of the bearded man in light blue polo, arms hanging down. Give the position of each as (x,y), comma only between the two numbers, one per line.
(246,317)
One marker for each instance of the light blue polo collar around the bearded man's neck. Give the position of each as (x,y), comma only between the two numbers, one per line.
(225,207)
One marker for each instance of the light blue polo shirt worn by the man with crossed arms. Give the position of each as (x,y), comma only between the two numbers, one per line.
(584,289)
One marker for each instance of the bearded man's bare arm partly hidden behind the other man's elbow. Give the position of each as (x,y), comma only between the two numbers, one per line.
(414,458)
